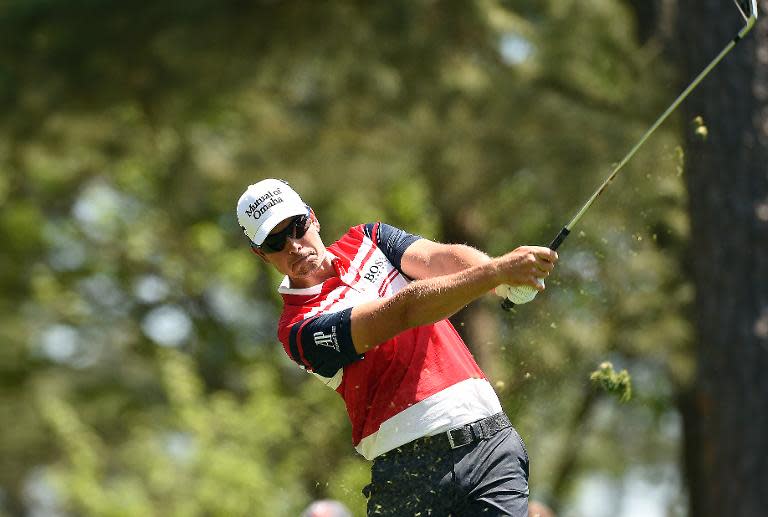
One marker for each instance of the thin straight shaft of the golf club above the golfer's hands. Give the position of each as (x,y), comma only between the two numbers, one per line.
(558,240)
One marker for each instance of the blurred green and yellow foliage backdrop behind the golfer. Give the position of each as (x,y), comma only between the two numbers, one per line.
(139,370)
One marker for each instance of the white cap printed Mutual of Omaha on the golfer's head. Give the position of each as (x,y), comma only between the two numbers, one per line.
(264,205)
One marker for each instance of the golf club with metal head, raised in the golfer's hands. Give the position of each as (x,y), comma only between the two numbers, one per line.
(515,295)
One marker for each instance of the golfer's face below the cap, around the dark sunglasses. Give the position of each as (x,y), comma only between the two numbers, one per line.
(300,257)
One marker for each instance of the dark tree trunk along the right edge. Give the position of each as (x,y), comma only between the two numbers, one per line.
(726,413)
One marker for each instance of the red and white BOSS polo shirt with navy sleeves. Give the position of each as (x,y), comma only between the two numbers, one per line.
(421,382)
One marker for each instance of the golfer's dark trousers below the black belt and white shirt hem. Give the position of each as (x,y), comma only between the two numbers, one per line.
(427,478)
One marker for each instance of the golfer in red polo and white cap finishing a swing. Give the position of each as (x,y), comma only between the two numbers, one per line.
(367,315)
